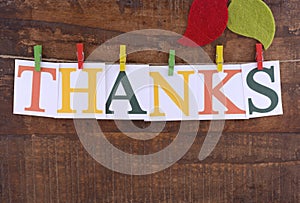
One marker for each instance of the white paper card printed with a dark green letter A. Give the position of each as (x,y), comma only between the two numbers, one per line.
(129,96)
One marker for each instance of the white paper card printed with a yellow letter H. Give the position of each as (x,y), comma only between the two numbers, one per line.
(81,92)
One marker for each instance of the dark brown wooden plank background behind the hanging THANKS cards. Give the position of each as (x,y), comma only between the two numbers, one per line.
(42,160)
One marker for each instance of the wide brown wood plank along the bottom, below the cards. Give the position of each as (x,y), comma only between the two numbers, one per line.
(243,167)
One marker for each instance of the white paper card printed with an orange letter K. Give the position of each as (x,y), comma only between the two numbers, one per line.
(221,94)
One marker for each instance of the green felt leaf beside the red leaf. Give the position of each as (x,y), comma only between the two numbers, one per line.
(252,18)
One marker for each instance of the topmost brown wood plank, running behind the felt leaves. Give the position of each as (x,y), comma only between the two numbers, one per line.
(135,14)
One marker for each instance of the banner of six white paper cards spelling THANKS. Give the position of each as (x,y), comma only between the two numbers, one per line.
(143,92)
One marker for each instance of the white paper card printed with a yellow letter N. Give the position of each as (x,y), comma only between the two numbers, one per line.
(173,97)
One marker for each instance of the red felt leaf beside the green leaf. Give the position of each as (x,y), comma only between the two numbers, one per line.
(207,21)
